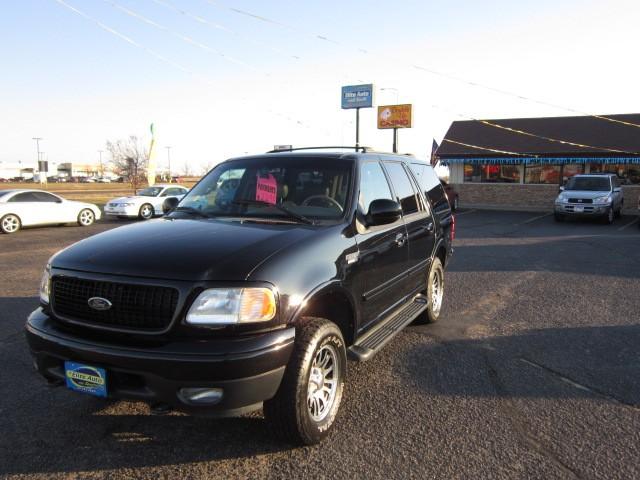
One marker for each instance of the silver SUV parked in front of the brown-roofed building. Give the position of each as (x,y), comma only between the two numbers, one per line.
(590,195)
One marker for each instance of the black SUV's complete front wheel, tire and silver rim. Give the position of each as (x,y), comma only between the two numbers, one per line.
(305,407)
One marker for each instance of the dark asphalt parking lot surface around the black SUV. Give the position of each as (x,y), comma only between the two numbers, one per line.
(532,372)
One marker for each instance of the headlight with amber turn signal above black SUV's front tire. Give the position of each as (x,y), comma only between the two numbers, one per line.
(221,306)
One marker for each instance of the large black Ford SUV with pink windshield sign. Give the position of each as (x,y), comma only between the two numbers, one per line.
(251,295)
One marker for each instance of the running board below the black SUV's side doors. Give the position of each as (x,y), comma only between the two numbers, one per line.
(373,341)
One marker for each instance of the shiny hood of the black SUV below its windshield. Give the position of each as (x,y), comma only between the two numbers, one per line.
(181,249)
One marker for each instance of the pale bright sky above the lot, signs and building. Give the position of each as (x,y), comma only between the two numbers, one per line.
(218,82)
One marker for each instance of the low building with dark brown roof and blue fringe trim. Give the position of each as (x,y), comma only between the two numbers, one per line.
(520,163)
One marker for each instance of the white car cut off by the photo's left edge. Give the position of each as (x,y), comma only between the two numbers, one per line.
(26,208)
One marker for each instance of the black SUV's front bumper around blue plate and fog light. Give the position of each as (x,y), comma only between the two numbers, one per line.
(248,369)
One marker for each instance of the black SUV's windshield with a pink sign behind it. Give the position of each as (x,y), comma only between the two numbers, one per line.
(295,188)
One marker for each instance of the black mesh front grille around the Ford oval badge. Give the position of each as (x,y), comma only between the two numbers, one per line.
(140,307)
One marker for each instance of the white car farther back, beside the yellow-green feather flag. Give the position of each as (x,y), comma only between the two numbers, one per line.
(147,203)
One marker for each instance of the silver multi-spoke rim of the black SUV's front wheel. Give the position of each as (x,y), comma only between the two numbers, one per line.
(323,383)
